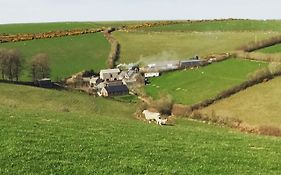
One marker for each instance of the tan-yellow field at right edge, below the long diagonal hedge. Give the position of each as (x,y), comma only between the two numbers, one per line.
(258,105)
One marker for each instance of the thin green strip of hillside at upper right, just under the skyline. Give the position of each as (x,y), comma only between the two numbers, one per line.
(227,25)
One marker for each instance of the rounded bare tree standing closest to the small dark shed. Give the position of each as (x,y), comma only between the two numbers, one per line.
(40,66)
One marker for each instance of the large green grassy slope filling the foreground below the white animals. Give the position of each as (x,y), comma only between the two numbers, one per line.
(98,136)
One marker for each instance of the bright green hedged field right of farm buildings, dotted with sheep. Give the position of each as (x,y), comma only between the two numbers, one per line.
(193,86)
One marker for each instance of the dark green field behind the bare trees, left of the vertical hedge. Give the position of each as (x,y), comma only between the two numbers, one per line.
(67,55)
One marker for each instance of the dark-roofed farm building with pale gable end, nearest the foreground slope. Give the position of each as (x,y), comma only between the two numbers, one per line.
(114,90)
